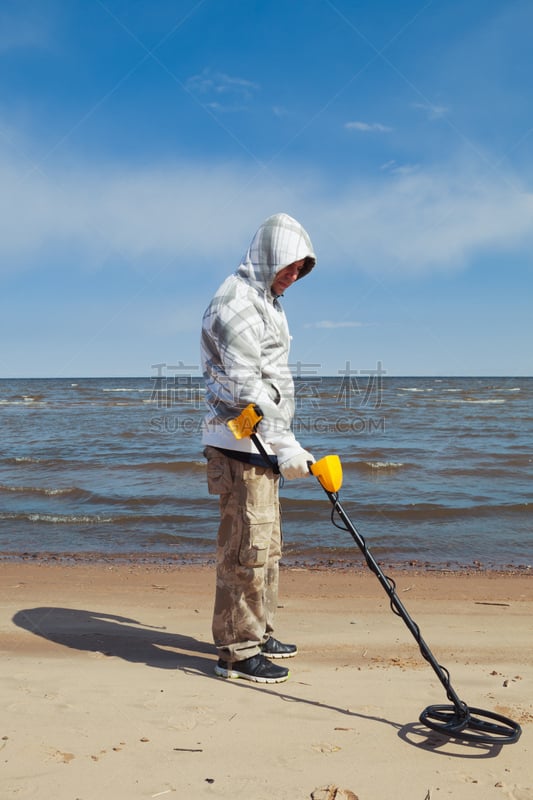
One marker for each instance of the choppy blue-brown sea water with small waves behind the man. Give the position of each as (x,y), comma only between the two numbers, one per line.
(437,471)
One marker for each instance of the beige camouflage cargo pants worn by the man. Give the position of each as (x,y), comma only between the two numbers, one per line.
(248,554)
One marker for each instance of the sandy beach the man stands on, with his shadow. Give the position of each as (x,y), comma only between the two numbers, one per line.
(107,687)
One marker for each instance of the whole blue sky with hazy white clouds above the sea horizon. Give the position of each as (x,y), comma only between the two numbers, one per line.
(142,142)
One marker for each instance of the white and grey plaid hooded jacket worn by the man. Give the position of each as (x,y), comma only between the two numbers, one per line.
(245,342)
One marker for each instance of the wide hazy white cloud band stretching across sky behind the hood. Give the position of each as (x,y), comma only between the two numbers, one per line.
(403,223)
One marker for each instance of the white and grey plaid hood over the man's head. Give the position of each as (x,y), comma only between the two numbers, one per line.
(279,241)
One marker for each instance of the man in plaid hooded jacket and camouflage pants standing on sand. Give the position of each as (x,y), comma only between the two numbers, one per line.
(245,348)
